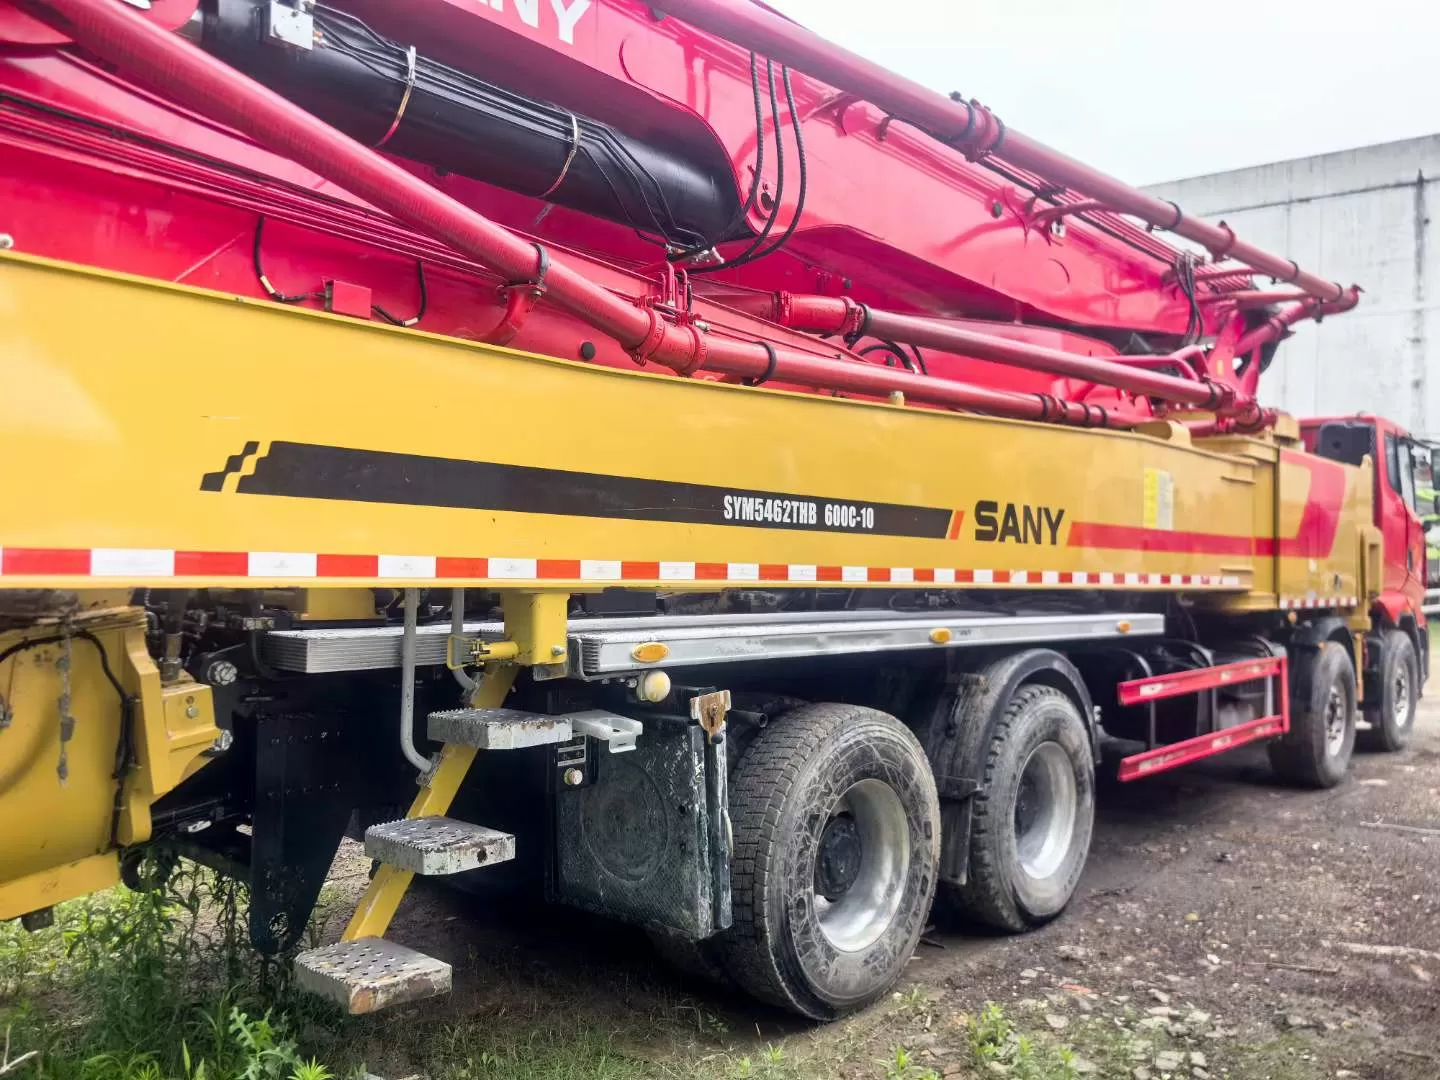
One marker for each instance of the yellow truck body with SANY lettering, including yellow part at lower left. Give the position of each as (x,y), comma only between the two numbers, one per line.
(162,437)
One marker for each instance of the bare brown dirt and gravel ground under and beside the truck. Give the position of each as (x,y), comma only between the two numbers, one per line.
(1226,928)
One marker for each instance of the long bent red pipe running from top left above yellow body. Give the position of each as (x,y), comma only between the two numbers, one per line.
(123,37)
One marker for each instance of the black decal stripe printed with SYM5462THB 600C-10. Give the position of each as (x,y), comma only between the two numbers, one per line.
(300,470)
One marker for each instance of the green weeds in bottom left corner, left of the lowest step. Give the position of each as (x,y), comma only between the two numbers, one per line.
(150,986)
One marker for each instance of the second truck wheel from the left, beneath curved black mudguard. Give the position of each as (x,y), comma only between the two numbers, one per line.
(1033,819)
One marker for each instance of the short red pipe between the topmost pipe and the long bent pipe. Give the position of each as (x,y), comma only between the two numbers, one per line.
(842,315)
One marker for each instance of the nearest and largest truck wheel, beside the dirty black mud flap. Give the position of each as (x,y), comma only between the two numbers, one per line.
(836,855)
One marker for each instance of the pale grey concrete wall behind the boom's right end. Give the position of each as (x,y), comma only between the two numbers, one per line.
(1359,217)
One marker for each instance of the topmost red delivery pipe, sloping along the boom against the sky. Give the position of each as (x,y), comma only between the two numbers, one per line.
(971,127)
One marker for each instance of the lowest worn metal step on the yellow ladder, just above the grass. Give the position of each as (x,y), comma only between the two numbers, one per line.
(371,974)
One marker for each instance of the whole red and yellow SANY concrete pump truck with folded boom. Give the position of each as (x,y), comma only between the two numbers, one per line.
(647,451)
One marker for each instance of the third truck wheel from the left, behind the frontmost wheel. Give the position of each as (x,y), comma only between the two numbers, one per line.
(1318,748)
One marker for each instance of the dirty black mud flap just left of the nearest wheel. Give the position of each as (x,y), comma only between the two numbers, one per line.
(647,842)
